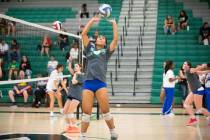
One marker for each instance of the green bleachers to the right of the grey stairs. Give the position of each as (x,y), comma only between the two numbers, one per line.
(179,48)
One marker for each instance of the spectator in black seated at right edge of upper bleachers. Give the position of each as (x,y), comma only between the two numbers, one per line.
(204,37)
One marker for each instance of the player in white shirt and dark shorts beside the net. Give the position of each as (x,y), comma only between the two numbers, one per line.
(53,88)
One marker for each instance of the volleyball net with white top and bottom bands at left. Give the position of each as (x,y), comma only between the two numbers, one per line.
(31,40)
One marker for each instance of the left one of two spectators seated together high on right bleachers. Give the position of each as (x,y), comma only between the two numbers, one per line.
(169,25)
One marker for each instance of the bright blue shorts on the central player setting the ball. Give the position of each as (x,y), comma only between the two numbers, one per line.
(93,85)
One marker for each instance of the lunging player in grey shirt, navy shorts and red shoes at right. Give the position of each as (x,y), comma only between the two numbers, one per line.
(196,94)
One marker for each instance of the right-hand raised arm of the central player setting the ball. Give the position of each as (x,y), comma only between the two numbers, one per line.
(113,44)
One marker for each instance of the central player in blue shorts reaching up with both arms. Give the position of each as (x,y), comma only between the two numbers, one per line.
(97,55)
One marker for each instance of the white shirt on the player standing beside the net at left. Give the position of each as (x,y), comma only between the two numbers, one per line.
(54,76)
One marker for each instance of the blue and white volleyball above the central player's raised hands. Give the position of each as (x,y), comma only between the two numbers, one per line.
(105,10)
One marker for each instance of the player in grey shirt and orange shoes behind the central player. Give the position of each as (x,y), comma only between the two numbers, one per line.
(73,97)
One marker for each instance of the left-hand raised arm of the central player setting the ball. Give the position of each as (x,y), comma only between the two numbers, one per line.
(87,28)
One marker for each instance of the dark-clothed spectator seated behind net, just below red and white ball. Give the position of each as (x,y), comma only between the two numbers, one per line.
(63,41)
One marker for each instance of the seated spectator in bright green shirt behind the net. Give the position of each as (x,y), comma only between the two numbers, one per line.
(13,69)
